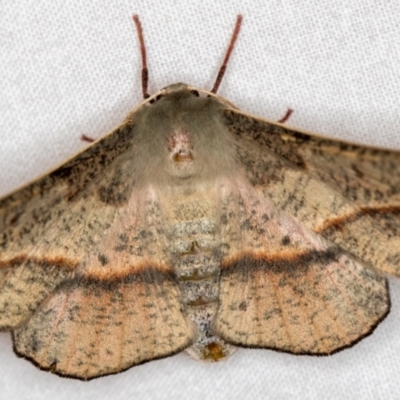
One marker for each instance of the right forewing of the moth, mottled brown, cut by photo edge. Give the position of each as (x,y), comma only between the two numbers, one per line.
(347,193)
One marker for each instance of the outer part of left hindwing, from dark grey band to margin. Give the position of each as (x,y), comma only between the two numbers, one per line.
(94,327)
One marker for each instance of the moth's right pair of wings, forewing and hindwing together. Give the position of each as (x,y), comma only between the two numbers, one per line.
(316,223)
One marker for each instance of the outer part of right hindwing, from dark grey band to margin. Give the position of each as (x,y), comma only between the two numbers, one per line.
(316,303)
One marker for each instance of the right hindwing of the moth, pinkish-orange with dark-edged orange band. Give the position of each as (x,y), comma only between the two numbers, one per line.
(284,287)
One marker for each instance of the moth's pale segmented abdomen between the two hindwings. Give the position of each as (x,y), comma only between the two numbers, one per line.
(194,245)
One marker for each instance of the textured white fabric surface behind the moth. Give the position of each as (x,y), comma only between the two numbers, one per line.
(73,67)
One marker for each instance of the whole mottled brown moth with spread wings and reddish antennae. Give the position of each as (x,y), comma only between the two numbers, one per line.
(195,226)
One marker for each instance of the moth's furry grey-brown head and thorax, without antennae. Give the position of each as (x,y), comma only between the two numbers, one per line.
(181,135)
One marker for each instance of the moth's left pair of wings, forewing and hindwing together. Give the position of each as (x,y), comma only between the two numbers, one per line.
(83,284)
